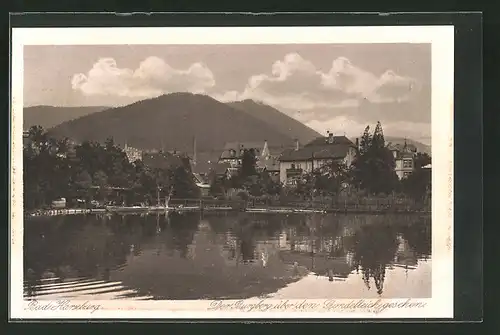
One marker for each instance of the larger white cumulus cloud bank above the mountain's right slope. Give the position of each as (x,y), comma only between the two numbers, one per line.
(295,82)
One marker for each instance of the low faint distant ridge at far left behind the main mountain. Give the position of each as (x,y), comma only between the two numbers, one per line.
(50,116)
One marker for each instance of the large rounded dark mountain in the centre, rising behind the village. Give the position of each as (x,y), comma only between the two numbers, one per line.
(171,121)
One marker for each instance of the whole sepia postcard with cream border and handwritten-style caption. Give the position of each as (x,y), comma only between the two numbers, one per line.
(236,172)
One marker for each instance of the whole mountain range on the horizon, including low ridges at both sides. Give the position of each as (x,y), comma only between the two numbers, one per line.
(268,123)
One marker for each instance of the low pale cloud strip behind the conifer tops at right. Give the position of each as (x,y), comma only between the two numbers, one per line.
(341,125)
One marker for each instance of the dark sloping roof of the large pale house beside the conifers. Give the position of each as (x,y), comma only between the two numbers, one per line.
(332,147)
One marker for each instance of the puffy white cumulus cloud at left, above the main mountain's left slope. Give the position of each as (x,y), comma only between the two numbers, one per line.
(153,77)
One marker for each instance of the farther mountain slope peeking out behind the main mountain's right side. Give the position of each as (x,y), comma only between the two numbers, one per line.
(281,122)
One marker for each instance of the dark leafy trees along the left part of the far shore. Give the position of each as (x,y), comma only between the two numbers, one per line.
(92,171)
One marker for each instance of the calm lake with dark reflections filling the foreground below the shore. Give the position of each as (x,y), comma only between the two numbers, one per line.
(233,255)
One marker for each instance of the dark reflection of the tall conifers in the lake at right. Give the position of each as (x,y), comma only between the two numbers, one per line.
(374,247)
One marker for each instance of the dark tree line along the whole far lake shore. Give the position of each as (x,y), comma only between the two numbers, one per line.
(95,171)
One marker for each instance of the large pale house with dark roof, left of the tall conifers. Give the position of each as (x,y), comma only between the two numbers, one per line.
(321,151)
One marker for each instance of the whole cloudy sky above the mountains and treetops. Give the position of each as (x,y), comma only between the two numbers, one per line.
(340,88)
